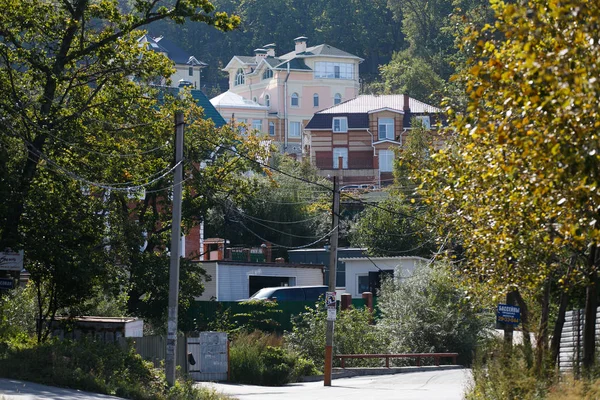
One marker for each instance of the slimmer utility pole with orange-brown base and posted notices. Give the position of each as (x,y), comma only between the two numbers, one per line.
(332,273)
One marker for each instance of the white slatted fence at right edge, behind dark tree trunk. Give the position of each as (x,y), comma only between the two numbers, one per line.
(571,340)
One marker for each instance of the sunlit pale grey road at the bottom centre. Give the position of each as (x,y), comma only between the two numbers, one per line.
(430,385)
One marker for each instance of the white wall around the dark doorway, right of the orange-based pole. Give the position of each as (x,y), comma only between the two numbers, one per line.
(403,267)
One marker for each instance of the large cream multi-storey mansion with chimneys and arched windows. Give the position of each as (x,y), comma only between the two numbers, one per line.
(283,92)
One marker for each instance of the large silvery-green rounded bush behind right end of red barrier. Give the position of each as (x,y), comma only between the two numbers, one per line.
(427,312)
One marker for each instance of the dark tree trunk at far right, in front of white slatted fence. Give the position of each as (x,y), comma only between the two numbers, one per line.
(591,304)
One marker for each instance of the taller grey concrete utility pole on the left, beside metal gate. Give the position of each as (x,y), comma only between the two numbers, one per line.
(170,359)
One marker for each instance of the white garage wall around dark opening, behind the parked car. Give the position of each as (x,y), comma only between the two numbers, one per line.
(233,281)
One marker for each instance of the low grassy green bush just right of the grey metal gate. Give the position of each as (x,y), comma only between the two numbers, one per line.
(258,358)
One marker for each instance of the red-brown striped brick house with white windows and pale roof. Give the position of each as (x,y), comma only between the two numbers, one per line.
(354,140)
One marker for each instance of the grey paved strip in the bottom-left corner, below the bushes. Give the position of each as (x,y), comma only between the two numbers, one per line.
(11,389)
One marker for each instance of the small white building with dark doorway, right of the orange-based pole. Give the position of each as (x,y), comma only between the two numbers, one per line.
(364,274)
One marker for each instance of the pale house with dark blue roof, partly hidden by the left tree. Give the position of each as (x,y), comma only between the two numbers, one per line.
(188,69)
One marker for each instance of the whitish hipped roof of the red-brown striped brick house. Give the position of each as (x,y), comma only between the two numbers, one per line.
(367,103)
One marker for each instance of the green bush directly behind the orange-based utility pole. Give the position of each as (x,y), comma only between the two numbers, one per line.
(354,334)
